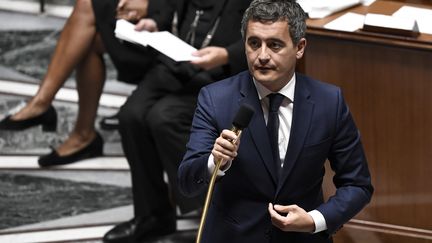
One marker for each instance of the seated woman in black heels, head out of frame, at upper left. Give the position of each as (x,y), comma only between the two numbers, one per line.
(88,32)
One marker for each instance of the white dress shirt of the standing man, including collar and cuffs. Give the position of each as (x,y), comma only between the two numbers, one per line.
(285,120)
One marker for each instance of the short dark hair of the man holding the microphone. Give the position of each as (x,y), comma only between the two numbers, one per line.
(277,10)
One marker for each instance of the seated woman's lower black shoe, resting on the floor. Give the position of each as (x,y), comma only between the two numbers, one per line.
(93,149)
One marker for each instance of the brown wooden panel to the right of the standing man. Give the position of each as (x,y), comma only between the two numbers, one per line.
(389,90)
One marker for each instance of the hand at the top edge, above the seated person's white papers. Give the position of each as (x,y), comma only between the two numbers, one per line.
(132,10)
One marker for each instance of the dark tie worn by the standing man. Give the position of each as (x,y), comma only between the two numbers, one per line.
(273,126)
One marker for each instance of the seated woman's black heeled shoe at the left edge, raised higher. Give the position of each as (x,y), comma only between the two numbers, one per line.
(48,120)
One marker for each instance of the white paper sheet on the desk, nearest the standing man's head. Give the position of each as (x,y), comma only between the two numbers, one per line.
(347,22)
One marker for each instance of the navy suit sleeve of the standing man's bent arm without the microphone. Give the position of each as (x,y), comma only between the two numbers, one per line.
(352,178)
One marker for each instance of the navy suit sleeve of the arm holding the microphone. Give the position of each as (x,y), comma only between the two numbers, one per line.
(193,171)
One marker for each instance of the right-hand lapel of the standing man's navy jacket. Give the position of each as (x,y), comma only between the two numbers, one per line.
(302,114)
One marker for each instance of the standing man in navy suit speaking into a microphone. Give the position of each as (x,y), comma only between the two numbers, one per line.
(262,195)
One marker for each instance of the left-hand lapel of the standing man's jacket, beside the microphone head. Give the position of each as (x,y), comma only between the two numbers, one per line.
(257,127)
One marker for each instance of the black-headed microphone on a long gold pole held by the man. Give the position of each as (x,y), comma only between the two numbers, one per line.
(241,121)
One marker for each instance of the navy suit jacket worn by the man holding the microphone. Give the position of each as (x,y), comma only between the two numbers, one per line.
(322,128)
